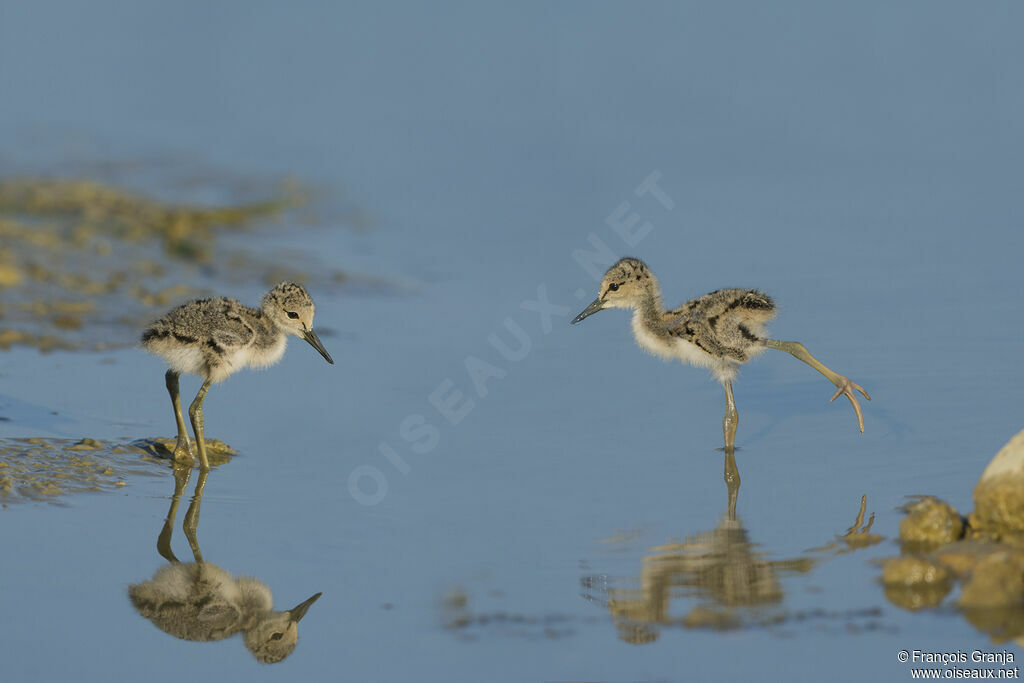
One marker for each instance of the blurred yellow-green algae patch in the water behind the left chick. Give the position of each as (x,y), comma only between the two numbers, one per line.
(83,266)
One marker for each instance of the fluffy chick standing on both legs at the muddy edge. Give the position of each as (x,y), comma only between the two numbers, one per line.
(214,338)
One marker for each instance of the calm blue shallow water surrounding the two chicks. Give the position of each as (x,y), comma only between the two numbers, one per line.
(860,165)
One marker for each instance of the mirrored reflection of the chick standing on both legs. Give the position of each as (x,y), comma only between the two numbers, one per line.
(200,602)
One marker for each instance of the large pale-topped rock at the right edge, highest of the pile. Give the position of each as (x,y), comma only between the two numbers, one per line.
(999,496)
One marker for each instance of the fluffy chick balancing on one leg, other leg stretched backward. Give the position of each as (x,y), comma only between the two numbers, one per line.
(720,331)
